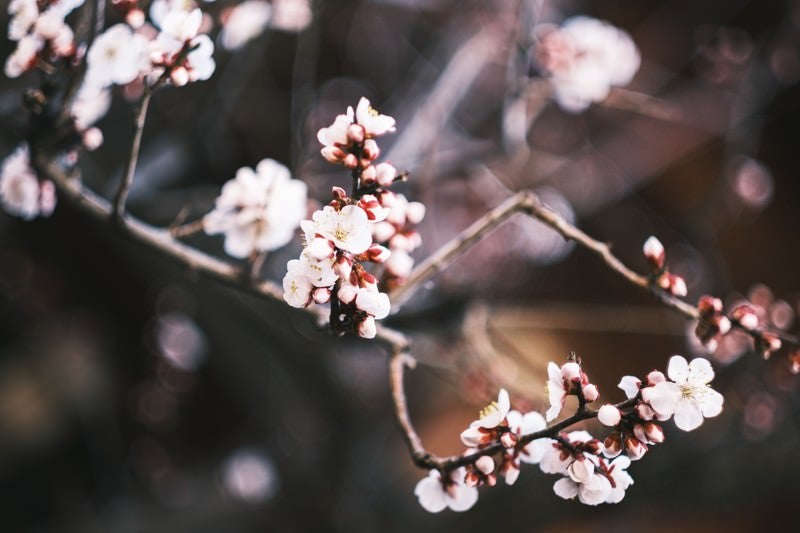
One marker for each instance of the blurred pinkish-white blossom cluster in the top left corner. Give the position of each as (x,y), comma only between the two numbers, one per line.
(41,34)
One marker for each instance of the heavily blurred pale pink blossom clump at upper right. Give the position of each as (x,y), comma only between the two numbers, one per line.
(584,58)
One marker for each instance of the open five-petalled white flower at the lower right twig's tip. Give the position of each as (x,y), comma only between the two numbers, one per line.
(688,396)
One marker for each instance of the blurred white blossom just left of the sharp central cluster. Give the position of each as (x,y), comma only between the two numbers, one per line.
(258,210)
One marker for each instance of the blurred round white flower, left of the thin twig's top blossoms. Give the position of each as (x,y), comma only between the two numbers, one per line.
(117,56)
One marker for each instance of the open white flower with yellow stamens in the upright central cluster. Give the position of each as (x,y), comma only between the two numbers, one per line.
(348,229)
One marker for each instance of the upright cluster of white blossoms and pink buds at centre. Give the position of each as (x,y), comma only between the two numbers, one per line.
(371,225)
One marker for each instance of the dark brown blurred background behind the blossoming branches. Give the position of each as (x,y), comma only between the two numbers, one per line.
(137,398)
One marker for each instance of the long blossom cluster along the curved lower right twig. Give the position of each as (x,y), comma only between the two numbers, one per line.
(591,470)
